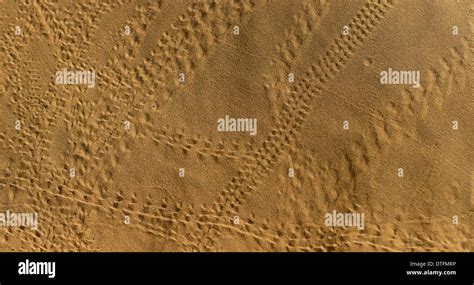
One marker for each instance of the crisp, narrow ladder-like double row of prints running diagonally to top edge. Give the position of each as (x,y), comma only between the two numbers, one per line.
(298,104)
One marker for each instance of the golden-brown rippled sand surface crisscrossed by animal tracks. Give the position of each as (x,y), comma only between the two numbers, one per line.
(137,162)
